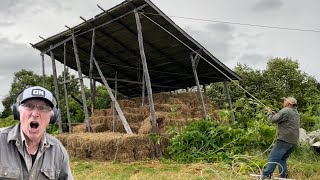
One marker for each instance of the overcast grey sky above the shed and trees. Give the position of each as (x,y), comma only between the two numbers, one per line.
(22,21)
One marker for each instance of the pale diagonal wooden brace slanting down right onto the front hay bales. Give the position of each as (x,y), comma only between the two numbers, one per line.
(121,115)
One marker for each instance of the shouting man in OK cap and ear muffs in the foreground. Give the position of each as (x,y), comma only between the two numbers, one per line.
(26,150)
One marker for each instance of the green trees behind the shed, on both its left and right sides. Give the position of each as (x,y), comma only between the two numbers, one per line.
(281,78)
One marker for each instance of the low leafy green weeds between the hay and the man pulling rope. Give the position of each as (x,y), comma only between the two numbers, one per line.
(210,141)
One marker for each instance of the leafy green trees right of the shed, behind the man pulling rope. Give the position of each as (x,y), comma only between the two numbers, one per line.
(282,78)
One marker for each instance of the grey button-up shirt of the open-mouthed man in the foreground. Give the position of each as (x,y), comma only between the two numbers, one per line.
(52,164)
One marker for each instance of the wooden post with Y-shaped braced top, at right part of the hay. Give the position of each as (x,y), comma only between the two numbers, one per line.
(194,61)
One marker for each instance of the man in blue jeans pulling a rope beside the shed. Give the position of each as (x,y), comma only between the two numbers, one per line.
(288,122)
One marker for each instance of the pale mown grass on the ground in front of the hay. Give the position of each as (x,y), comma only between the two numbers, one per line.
(166,170)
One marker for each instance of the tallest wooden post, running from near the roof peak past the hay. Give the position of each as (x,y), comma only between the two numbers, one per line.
(147,77)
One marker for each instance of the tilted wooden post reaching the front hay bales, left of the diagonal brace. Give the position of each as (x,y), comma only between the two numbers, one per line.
(84,100)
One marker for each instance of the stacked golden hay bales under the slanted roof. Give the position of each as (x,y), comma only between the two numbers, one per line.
(103,144)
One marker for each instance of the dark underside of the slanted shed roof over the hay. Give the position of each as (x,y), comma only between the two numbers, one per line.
(167,48)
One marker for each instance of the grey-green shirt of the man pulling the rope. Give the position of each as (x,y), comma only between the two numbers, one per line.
(288,122)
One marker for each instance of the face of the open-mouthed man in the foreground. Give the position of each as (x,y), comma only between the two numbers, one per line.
(34,119)
